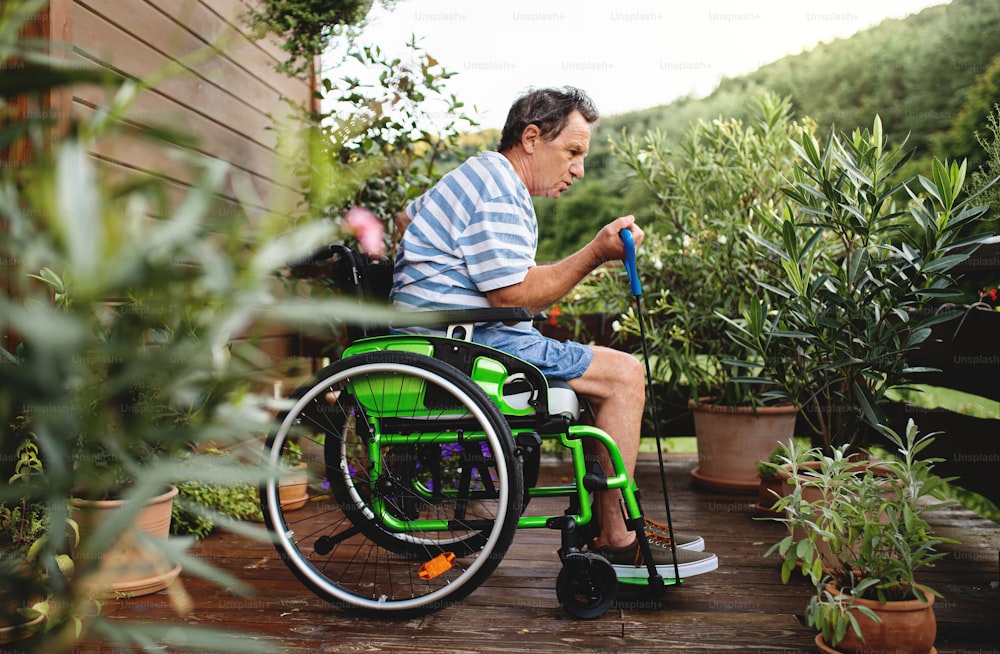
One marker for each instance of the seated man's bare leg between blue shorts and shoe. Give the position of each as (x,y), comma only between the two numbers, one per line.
(614,384)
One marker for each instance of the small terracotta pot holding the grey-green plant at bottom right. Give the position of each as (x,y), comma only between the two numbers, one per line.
(906,627)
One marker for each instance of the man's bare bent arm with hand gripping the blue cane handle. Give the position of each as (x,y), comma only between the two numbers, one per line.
(545,285)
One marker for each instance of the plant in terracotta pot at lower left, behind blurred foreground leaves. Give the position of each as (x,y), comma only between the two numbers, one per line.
(109,406)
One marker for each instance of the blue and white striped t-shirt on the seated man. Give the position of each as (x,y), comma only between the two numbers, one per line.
(475,231)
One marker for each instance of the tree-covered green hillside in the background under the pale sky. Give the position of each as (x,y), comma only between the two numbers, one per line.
(932,77)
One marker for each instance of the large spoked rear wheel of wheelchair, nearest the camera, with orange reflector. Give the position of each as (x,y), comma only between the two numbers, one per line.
(424,489)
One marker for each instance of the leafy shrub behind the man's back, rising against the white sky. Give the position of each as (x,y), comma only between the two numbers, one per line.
(382,131)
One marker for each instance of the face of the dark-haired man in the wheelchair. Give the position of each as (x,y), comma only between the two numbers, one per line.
(556,163)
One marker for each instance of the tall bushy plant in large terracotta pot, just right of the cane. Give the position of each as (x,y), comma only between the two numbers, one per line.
(698,264)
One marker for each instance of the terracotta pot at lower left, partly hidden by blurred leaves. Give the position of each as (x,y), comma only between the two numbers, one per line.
(130,568)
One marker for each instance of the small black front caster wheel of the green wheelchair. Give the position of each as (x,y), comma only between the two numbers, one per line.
(586,585)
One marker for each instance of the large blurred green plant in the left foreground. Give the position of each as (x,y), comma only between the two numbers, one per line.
(127,310)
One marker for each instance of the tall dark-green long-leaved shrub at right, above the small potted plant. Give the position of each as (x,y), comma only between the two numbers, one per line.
(863,258)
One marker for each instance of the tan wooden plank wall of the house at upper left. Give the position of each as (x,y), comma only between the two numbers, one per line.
(223,91)
